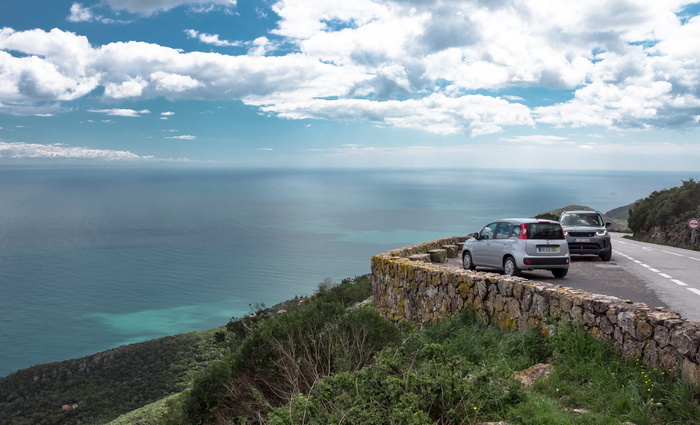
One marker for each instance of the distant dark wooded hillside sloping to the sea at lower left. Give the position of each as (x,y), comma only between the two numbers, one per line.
(105,385)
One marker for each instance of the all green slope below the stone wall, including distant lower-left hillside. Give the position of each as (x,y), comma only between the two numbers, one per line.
(328,360)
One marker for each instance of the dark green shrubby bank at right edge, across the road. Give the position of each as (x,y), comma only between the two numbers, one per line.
(670,207)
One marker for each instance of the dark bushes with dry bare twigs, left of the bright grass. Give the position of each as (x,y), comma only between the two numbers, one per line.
(287,354)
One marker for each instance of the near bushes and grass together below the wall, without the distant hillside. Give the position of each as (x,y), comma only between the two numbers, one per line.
(322,363)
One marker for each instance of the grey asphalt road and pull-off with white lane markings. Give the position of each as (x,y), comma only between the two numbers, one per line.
(655,275)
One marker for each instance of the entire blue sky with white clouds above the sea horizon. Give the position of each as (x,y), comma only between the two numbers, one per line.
(560,84)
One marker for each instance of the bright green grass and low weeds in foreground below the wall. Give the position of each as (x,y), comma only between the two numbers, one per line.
(461,372)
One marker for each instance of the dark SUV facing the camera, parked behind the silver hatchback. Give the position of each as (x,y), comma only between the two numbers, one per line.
(586,233)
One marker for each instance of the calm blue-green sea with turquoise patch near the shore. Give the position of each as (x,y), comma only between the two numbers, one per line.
(91,259)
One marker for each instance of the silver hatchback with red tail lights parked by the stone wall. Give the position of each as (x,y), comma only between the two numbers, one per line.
(518,244)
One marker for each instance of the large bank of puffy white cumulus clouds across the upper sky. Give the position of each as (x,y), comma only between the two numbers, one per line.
(627,64)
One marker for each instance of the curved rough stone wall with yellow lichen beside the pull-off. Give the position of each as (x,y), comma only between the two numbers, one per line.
(425,292)
